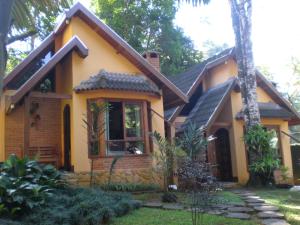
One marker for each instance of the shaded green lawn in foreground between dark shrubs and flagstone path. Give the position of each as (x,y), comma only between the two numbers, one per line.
(146,216)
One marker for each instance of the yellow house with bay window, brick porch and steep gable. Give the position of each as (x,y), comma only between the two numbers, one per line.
(46,106)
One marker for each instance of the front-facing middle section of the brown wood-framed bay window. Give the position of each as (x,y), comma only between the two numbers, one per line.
(125,128)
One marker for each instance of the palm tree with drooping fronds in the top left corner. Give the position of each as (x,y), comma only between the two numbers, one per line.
(17,22)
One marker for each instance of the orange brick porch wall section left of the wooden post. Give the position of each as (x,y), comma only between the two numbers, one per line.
(14,132)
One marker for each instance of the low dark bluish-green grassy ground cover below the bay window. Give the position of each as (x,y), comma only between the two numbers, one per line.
(82,206)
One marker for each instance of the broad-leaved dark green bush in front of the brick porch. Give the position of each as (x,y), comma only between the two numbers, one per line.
(25,184)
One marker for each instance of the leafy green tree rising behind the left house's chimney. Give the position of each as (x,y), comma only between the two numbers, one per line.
(148,25)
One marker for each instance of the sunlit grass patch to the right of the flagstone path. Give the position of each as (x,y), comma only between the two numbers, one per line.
(287,201)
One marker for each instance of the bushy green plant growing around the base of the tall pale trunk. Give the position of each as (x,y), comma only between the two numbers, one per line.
(263,159)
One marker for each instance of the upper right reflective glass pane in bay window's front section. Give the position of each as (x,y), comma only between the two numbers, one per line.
(133,120)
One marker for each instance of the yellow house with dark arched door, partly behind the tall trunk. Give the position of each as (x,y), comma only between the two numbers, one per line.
(215,104)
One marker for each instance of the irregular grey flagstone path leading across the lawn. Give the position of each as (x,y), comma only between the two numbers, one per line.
(254,208)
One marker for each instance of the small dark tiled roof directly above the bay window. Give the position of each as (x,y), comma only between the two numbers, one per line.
(118,81)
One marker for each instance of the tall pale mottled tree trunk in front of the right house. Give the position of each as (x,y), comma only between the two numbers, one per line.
(241,13)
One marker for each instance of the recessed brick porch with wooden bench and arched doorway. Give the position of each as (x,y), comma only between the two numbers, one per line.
(45,121)
